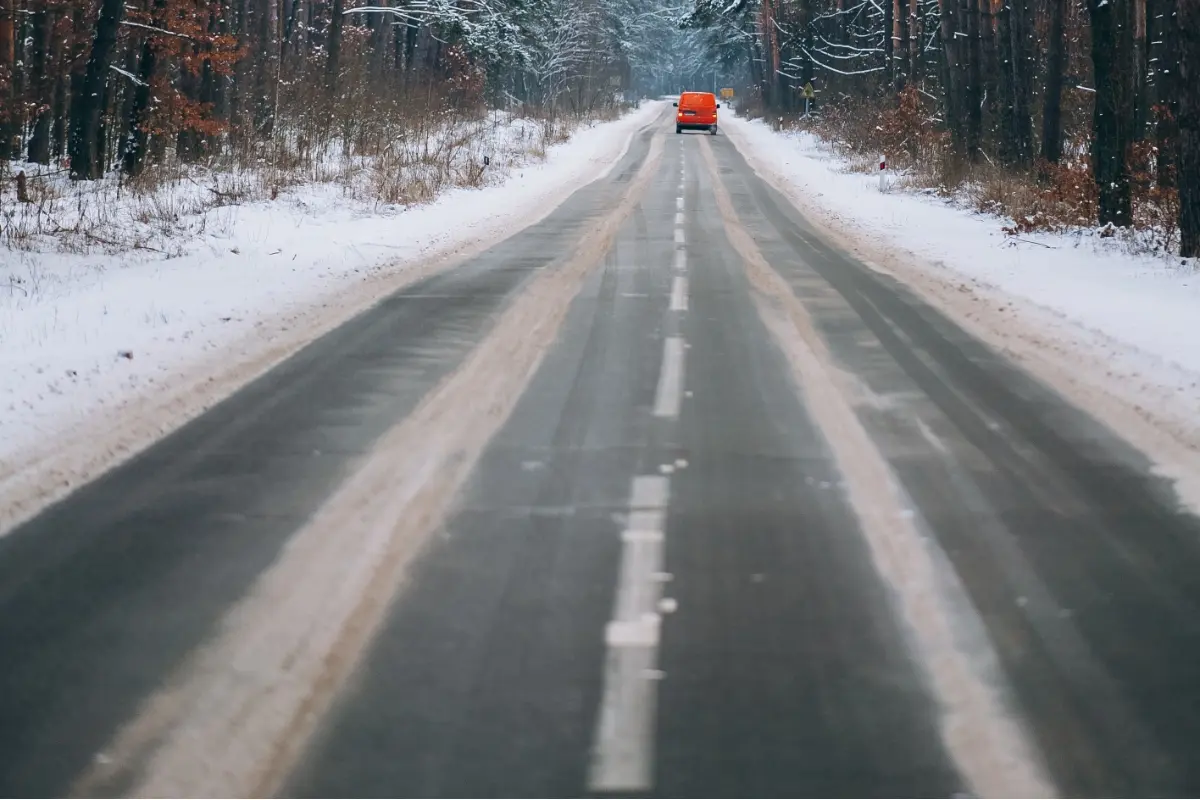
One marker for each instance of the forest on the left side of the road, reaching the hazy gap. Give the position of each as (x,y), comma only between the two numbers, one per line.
(117,85)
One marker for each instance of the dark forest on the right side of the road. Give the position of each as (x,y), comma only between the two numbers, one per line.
(1097,101)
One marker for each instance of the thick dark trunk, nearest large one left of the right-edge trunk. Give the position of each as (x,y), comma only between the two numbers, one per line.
(1113,122)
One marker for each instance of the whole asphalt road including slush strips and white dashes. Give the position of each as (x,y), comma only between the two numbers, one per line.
(775,531)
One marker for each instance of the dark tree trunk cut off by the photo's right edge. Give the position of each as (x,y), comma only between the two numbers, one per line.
(1189,32)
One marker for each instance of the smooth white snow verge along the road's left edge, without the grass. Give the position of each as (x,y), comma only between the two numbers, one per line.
(104,354)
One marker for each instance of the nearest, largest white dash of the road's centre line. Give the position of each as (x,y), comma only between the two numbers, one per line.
(623,757)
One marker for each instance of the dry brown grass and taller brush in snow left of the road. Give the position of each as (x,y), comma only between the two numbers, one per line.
(377,148)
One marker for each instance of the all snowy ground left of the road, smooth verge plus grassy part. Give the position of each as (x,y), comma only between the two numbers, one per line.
(124,312)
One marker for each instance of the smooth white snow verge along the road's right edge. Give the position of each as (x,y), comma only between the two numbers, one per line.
(1107,329)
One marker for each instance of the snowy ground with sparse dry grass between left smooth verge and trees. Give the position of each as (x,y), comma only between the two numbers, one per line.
(166,210)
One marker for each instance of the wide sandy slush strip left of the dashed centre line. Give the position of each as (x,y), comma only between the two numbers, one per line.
(236,719)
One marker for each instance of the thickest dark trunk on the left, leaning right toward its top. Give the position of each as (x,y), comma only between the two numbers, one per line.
(87,116)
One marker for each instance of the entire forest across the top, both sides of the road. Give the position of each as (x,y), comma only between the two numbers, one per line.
(1096,103)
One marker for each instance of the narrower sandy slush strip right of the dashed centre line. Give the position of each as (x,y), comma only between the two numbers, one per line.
(989,747)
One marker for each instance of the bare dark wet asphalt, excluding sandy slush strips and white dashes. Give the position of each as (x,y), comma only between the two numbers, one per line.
(784,666)
